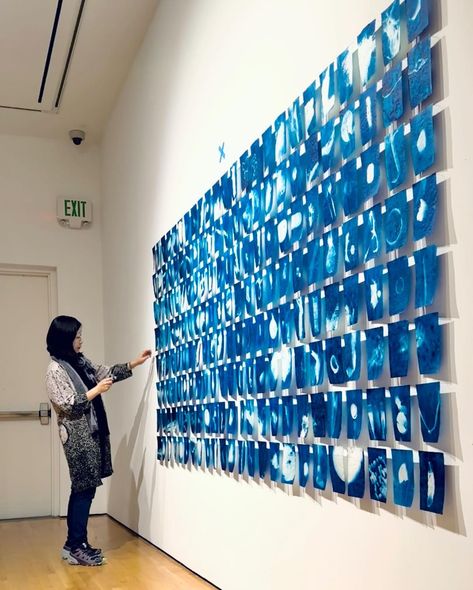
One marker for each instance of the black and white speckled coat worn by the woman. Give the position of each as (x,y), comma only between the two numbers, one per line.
(88,460)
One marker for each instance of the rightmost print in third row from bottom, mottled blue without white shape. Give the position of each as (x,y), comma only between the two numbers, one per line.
(429,343)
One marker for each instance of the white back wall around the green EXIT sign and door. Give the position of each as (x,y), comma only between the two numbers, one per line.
(33,173)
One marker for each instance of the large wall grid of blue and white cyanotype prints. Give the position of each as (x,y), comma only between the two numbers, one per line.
(293,303)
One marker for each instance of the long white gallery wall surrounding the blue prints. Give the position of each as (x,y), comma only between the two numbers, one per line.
(212,71)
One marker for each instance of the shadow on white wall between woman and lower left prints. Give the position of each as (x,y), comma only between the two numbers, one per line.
(129,467)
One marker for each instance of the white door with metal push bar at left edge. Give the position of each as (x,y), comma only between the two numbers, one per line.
(28,454)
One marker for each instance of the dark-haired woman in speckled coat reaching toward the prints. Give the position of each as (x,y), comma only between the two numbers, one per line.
(75,386)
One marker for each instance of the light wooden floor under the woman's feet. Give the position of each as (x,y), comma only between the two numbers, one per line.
(30,559)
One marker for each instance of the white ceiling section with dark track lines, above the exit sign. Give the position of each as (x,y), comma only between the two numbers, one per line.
(63,62)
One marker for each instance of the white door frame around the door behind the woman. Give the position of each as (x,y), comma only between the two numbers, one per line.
(50,273)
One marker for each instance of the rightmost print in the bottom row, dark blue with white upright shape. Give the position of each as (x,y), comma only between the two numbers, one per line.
(432,481)
